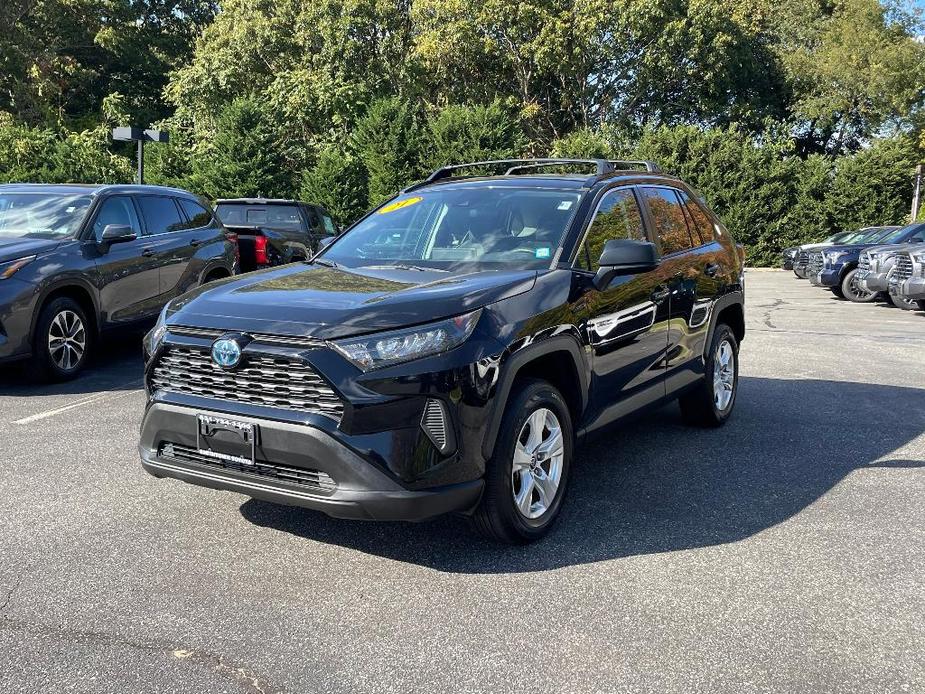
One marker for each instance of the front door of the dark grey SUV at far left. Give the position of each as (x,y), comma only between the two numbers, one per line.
(128,274)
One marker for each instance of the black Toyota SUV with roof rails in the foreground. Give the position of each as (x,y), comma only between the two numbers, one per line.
(447,351)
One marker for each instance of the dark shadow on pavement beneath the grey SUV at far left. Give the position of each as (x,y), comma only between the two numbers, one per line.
(118,365)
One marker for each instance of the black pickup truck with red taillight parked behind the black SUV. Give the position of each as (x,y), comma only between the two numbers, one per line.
(275,232)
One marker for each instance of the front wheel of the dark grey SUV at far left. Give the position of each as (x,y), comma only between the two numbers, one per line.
(61,346)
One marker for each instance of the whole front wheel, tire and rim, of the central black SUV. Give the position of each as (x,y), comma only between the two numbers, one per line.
(526,478)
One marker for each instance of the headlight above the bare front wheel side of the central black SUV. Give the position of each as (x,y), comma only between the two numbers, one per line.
(394,347)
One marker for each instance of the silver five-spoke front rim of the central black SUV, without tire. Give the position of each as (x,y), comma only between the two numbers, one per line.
(537,467)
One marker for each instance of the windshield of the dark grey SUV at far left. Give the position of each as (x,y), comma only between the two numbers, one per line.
(41,215)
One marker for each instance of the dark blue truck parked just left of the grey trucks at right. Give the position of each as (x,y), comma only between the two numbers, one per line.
(835,267)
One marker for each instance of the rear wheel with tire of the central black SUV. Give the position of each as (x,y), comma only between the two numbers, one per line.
(710,404)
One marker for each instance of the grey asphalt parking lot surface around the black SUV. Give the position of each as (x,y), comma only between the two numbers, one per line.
(785,552)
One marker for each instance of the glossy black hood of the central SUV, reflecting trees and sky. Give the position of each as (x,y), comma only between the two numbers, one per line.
(305,300)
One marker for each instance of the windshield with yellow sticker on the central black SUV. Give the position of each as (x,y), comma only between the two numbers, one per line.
(468,224)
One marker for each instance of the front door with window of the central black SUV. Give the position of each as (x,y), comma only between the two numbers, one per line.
(626,323)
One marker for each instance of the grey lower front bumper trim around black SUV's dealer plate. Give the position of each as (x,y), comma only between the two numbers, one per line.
(289,456)
